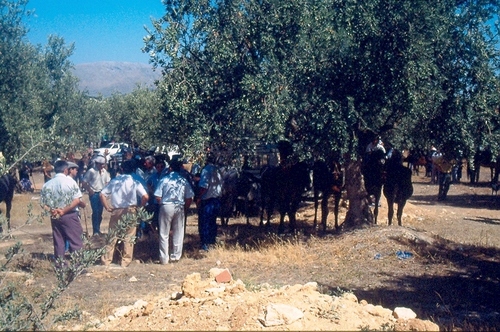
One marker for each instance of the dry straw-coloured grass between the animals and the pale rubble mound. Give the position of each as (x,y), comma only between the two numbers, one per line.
(442,273)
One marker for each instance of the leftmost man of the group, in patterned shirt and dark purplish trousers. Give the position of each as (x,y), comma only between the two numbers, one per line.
(61,196)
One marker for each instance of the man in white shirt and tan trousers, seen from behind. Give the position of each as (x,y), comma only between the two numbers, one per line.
(123,192)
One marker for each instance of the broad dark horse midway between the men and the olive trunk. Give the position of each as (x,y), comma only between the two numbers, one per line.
(283,186)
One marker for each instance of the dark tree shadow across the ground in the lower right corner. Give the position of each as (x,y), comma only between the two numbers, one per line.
(465,295)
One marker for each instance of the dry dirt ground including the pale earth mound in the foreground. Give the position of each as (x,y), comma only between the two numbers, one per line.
(451,277)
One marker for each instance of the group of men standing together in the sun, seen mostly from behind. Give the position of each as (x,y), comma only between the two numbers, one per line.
(159,185)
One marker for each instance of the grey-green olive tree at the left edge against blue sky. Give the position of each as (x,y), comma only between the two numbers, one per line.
(37,90)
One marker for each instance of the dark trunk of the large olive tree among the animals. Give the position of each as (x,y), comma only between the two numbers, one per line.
(359,213)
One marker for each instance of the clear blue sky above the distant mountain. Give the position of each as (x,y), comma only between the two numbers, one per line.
(105,30)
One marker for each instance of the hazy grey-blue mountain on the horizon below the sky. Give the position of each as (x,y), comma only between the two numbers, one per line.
(109,77)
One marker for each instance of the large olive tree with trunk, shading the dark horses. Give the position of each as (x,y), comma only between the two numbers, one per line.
(327,75)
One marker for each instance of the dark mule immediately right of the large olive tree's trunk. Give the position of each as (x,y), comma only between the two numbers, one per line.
(373,170)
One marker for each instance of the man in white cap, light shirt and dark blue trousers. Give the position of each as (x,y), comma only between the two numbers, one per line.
(94,181)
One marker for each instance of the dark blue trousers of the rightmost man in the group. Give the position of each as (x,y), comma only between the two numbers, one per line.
(207,220)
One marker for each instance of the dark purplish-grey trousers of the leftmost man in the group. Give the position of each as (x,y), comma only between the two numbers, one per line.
(66,228)
